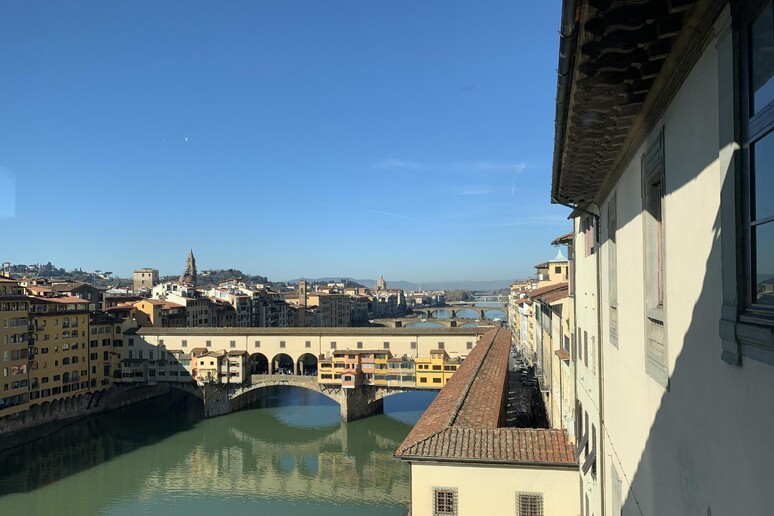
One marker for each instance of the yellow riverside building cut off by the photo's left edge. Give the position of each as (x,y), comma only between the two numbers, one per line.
(14,347)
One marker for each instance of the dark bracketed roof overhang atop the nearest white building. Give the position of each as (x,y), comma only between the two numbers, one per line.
(620,63)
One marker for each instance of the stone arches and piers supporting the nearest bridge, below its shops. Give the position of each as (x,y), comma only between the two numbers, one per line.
(357,403)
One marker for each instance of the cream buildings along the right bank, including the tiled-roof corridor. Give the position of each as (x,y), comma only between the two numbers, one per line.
(653,343)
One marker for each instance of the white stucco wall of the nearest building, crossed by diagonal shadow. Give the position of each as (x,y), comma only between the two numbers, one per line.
(703,446)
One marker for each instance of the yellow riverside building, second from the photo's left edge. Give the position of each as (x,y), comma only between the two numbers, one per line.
(60,368)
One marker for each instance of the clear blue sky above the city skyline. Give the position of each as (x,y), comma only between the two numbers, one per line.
(315,138)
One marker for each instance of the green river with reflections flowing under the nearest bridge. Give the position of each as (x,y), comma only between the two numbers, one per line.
(290,455)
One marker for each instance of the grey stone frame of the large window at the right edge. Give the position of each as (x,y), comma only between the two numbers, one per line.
(745,330)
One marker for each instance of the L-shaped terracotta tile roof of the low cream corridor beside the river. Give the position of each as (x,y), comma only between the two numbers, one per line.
(462,422)
